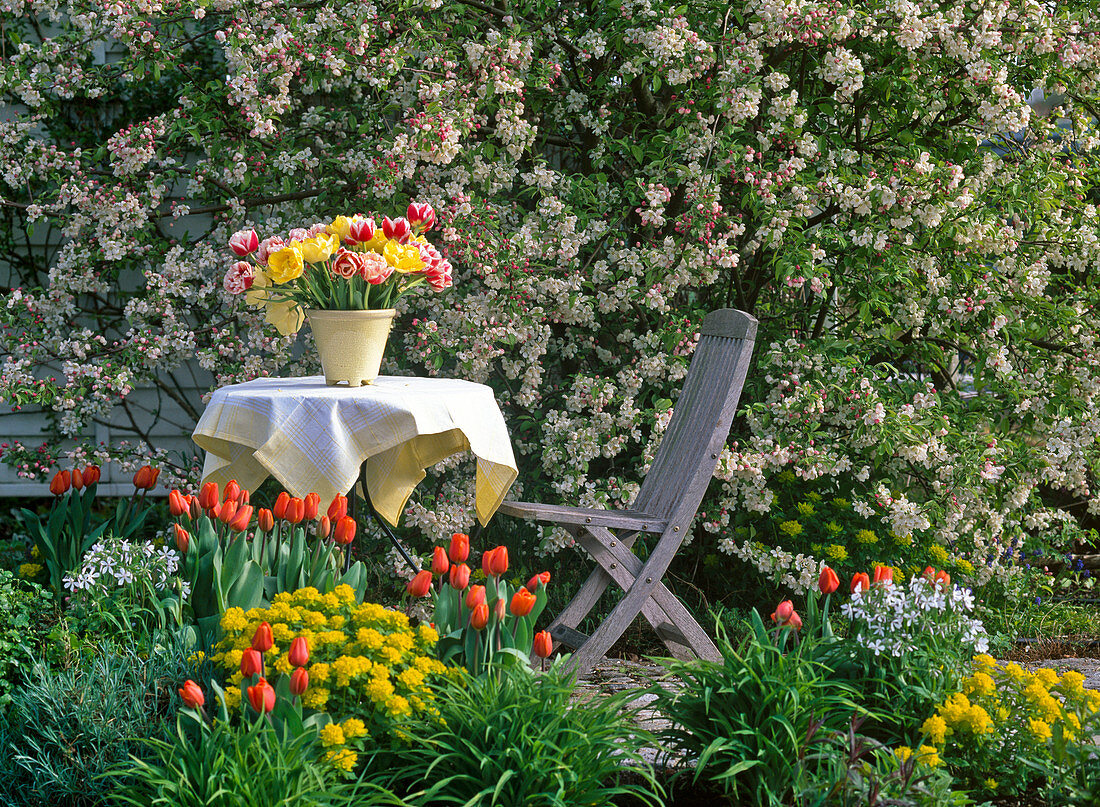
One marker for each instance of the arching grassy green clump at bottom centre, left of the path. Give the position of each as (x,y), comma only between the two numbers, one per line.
(516,738)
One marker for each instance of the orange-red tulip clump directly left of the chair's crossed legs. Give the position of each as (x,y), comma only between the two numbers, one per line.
(482,626)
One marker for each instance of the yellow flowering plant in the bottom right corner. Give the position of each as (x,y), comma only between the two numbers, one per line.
(1007,731)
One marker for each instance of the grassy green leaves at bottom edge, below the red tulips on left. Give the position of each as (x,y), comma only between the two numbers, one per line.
(236,765)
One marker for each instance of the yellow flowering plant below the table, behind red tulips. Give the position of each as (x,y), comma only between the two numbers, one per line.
(369,670)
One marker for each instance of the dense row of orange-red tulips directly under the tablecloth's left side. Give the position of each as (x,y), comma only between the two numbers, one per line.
(235,555)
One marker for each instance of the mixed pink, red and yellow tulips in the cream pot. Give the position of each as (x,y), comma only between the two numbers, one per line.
(350,264)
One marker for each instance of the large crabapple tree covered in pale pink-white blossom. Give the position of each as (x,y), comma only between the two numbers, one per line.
(904,193)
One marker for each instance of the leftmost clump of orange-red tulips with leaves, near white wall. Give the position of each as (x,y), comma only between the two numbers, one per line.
(72,527)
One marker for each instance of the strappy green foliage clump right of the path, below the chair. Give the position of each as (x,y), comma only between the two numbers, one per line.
(745,722)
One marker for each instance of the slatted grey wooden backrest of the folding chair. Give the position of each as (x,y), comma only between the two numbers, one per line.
(689,452)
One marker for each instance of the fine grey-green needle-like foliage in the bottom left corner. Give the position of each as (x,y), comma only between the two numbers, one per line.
(67,731)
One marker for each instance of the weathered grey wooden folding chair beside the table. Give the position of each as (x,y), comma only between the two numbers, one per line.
(667,503)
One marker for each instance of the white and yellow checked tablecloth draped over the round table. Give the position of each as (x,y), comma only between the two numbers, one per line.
(315,438)
